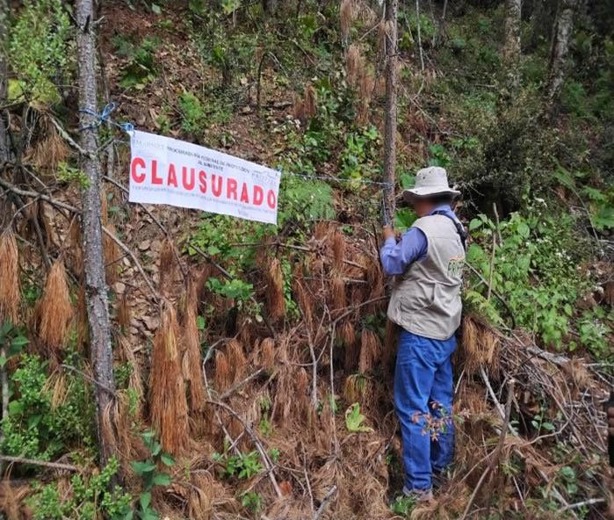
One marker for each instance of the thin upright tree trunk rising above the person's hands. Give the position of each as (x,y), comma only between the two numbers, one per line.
(390,126)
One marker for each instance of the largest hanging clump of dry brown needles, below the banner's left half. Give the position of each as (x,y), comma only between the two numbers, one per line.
(168,403)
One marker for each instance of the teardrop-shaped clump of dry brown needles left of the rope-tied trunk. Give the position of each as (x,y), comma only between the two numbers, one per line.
(54,310)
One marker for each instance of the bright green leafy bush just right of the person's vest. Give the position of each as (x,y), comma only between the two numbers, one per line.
(533,268)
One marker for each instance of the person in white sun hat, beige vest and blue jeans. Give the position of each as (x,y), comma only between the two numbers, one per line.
(426,304)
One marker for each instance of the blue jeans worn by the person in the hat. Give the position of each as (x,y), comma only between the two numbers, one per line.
(423,391)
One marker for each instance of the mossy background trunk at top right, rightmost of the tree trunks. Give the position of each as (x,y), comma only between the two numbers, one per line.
(560,47)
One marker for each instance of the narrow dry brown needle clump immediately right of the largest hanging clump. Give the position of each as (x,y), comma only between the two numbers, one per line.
(192,361)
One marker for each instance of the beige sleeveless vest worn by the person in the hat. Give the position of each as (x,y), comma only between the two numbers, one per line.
(426,300)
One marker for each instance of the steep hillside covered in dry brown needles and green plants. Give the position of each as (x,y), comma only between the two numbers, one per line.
(253,363)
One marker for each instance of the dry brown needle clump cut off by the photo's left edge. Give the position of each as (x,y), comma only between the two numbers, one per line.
(10,294)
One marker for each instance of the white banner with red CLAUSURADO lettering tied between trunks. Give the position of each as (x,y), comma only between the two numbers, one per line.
(168,171)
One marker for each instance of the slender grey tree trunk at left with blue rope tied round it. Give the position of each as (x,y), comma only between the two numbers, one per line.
(95,284)
